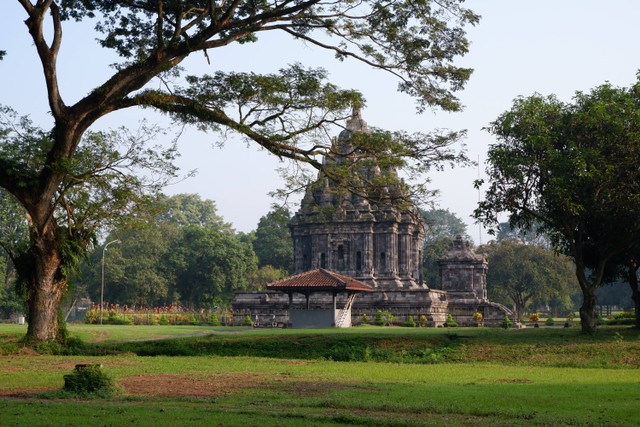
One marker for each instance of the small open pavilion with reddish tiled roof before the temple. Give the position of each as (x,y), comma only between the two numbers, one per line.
(320,281)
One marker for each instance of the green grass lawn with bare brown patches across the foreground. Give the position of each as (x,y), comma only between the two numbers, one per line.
(477,377)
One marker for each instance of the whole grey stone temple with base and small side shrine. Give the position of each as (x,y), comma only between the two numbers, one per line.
(370,239)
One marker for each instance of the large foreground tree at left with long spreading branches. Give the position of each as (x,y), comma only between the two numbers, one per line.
(285,113)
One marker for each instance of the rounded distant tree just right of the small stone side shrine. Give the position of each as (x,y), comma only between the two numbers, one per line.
(522,275)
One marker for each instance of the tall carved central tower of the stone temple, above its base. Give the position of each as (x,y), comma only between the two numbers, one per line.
(351,235)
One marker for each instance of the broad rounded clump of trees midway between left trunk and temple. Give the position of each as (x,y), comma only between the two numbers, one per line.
(180,252)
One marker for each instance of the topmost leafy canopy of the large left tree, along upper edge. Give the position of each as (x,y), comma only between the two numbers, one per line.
(415,41)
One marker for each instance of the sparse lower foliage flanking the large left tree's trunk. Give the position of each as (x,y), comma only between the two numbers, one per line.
(103,183)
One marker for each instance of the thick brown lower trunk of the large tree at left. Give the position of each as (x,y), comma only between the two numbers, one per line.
(45,285)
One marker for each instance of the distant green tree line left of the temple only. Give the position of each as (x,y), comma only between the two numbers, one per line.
(179,251)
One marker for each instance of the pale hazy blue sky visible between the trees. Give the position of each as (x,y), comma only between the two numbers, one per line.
(519,47)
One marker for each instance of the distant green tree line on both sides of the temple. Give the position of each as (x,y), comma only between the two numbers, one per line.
(182,252)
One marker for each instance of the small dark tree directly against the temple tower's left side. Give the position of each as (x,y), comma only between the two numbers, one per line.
(273,243)
